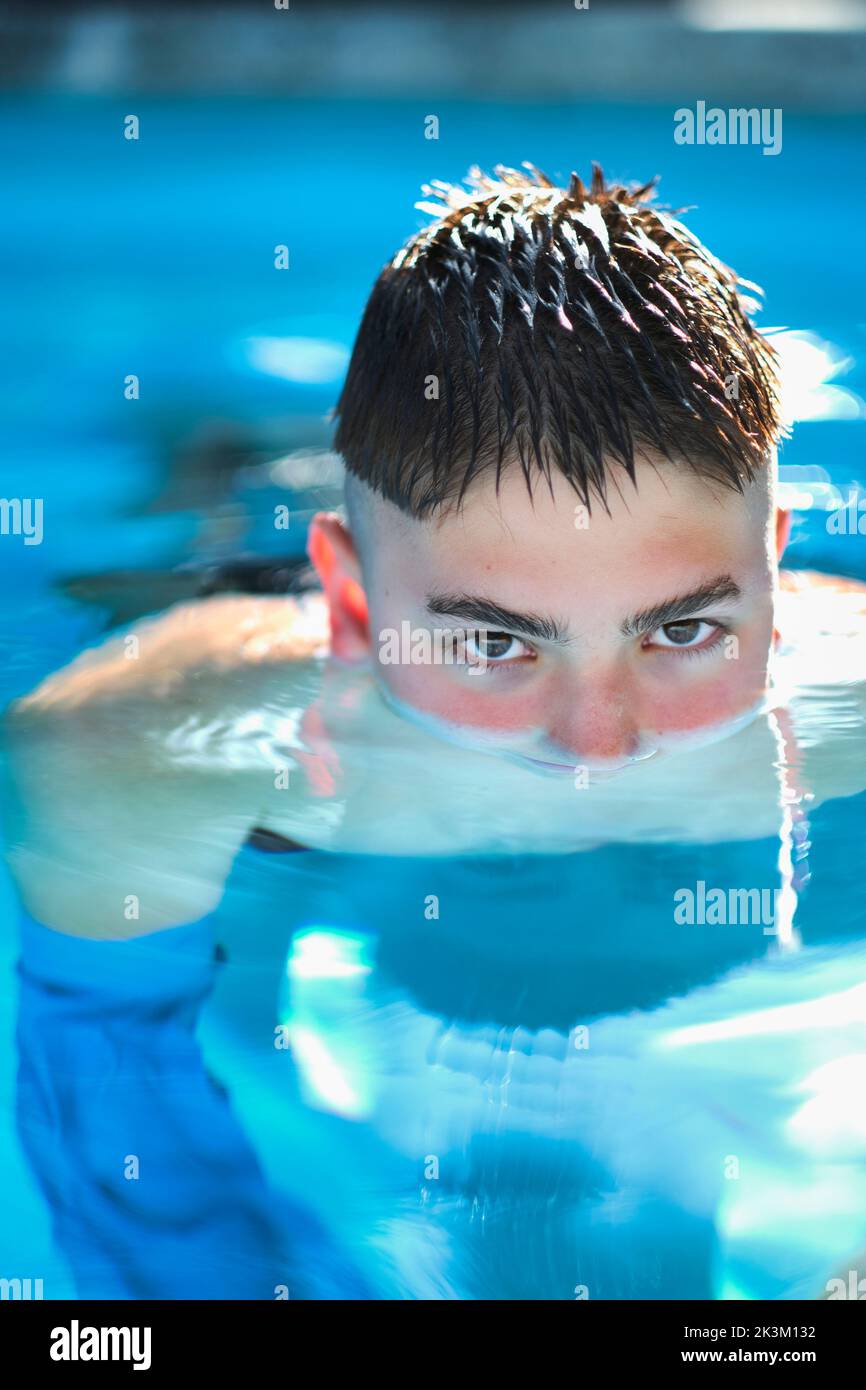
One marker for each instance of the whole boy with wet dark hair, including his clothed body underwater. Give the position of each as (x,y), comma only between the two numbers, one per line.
(554,622)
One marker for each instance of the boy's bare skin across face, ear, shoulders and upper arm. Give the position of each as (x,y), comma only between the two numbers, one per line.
(141,768)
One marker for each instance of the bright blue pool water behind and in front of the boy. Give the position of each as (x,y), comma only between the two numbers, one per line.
(553,1090)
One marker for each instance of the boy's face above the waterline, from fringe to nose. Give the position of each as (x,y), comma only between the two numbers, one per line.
(600,639)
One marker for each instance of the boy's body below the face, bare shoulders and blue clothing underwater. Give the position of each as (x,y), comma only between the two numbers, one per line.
(544,1082)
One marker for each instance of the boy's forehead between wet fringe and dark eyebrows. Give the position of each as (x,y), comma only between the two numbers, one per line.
(671,526)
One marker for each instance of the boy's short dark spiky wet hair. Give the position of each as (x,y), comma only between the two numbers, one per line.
(565,330)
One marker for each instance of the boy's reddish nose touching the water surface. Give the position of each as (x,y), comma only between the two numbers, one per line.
(596,719)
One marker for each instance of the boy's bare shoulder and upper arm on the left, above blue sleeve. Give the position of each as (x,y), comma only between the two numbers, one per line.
(111,835)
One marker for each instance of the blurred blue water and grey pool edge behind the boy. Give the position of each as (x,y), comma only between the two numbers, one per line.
(311,129)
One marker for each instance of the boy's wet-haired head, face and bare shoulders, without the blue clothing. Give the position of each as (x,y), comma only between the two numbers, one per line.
(559,430)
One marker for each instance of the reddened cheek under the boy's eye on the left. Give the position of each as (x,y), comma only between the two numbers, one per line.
(465,700)
